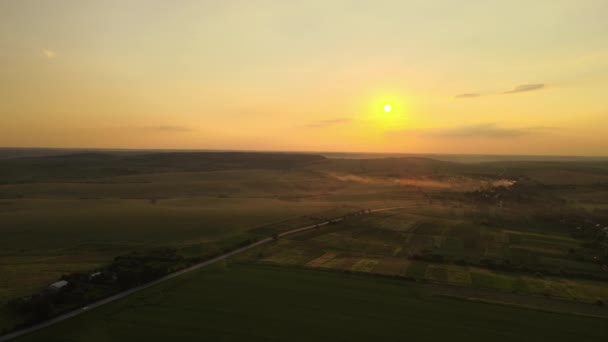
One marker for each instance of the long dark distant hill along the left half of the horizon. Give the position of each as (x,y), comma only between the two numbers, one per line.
(95,164)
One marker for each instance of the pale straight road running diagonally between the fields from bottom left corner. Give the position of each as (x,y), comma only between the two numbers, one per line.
(126,293)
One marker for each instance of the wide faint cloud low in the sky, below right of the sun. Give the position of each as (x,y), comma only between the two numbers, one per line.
(483,130)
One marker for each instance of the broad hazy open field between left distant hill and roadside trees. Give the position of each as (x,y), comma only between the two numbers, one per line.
(52,228)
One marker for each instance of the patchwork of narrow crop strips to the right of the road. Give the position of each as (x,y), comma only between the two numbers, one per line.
(434,246)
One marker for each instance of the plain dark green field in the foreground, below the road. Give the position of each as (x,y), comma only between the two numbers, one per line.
(254,303)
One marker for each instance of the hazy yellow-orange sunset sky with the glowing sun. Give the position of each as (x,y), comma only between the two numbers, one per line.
(477,76)
